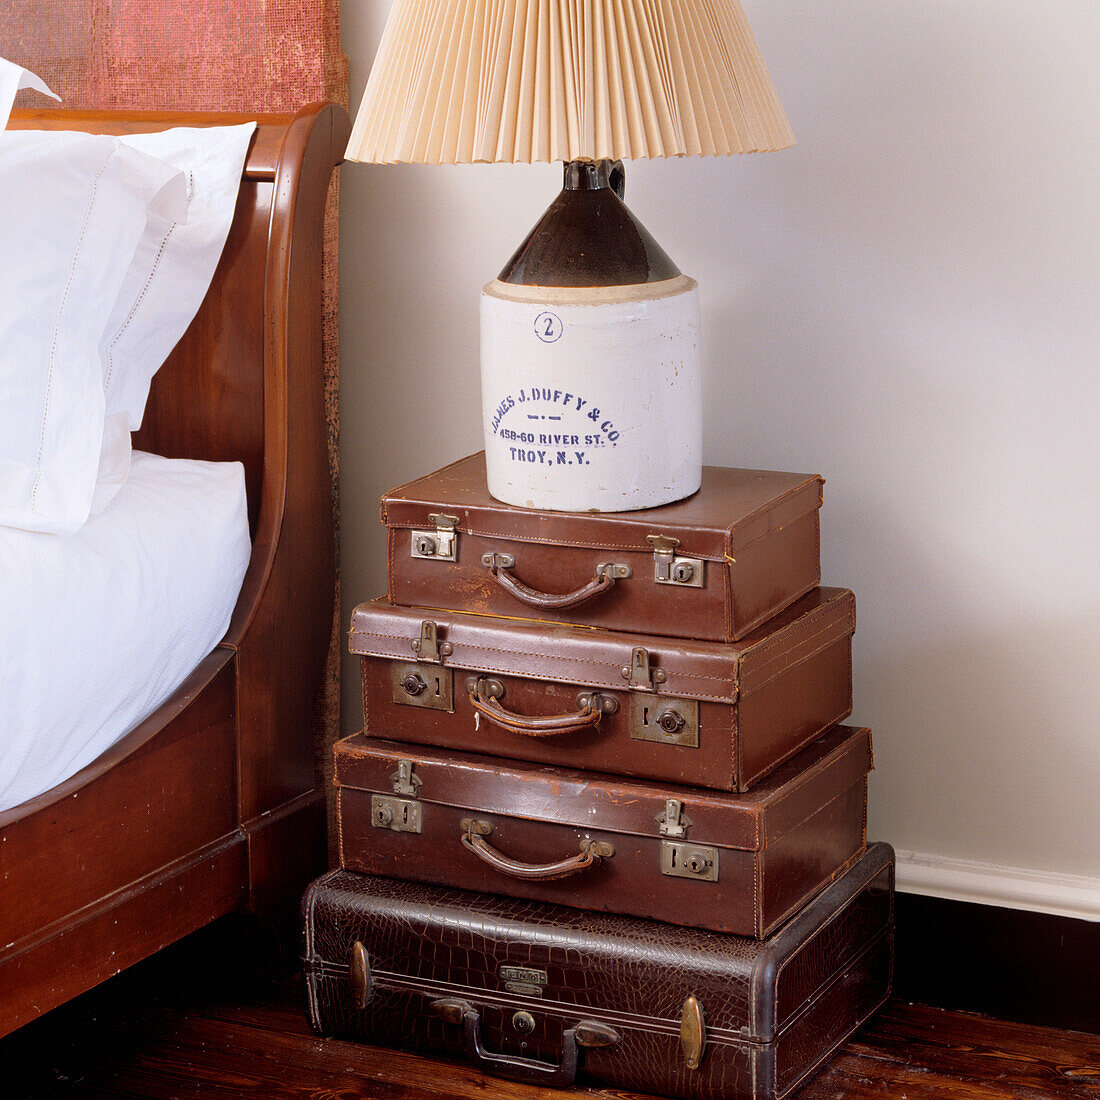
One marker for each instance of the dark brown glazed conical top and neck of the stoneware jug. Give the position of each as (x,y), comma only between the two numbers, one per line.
(589,238)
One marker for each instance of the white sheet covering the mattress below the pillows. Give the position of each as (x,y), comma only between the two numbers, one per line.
(100,628)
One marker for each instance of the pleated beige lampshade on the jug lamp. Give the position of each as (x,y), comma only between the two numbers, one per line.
(459,82)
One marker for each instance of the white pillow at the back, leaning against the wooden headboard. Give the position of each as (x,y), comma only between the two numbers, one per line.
(168,281)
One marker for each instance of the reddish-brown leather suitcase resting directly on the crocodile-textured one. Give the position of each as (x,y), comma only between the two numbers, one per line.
(730,863)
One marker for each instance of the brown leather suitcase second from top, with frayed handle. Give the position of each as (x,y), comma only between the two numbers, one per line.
(707,714)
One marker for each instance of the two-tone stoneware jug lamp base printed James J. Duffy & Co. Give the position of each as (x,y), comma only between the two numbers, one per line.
(591,361)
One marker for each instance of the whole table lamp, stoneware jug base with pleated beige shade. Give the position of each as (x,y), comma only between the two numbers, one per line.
(590,336)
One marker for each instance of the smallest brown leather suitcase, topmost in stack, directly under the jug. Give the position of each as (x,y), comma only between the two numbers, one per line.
(712,567)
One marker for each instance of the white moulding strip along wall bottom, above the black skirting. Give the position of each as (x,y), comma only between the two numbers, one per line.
(1009,887)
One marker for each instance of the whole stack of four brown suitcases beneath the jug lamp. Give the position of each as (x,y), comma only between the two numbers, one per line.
(603,821)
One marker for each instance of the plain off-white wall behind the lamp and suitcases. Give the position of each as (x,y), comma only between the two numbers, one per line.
(907,303)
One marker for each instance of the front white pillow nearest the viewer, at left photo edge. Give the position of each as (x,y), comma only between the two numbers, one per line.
(74,211)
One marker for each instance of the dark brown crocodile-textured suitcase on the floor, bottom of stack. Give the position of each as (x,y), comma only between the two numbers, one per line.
(546,995)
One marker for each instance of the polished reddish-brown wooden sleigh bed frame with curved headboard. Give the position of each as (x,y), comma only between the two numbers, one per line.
(211,805)
